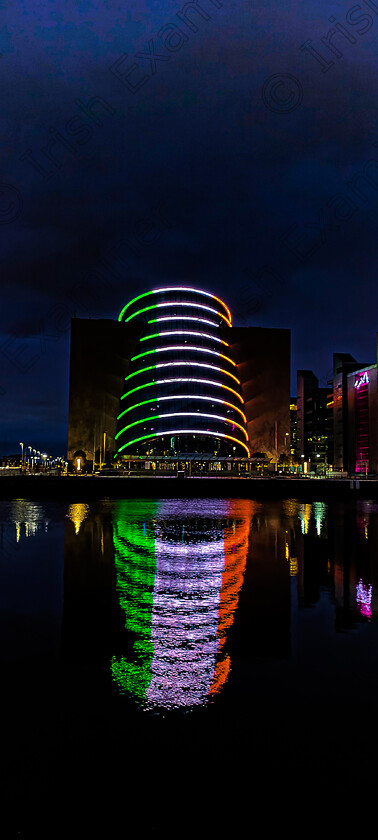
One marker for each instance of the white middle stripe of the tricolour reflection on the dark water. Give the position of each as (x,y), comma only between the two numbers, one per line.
(185,621)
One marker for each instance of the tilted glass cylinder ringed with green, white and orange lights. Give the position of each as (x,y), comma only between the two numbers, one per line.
(182,393)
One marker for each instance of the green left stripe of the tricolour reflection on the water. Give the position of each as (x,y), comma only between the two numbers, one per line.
(135,564)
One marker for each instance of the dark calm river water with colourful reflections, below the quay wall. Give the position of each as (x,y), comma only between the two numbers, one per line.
(168,663)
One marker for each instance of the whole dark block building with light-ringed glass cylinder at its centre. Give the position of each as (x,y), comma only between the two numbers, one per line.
(173,379)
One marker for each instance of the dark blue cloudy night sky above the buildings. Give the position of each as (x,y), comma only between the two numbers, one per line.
(215,154)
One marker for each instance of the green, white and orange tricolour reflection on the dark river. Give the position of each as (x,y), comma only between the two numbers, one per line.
(179,568)
